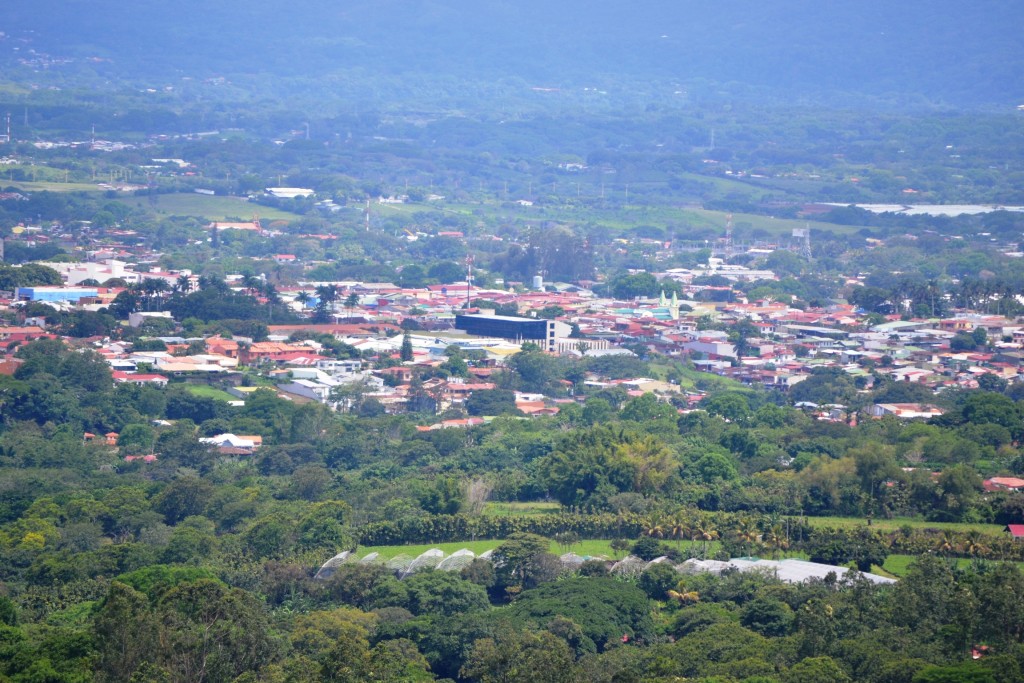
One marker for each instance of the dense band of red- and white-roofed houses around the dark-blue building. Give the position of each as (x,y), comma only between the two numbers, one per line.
(782,345)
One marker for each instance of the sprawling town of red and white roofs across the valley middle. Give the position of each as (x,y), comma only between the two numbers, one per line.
(387,343)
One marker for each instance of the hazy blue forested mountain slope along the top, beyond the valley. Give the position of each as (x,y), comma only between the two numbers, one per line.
(940,51)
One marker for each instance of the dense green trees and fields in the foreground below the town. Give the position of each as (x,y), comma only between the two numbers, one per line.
(212,557)
